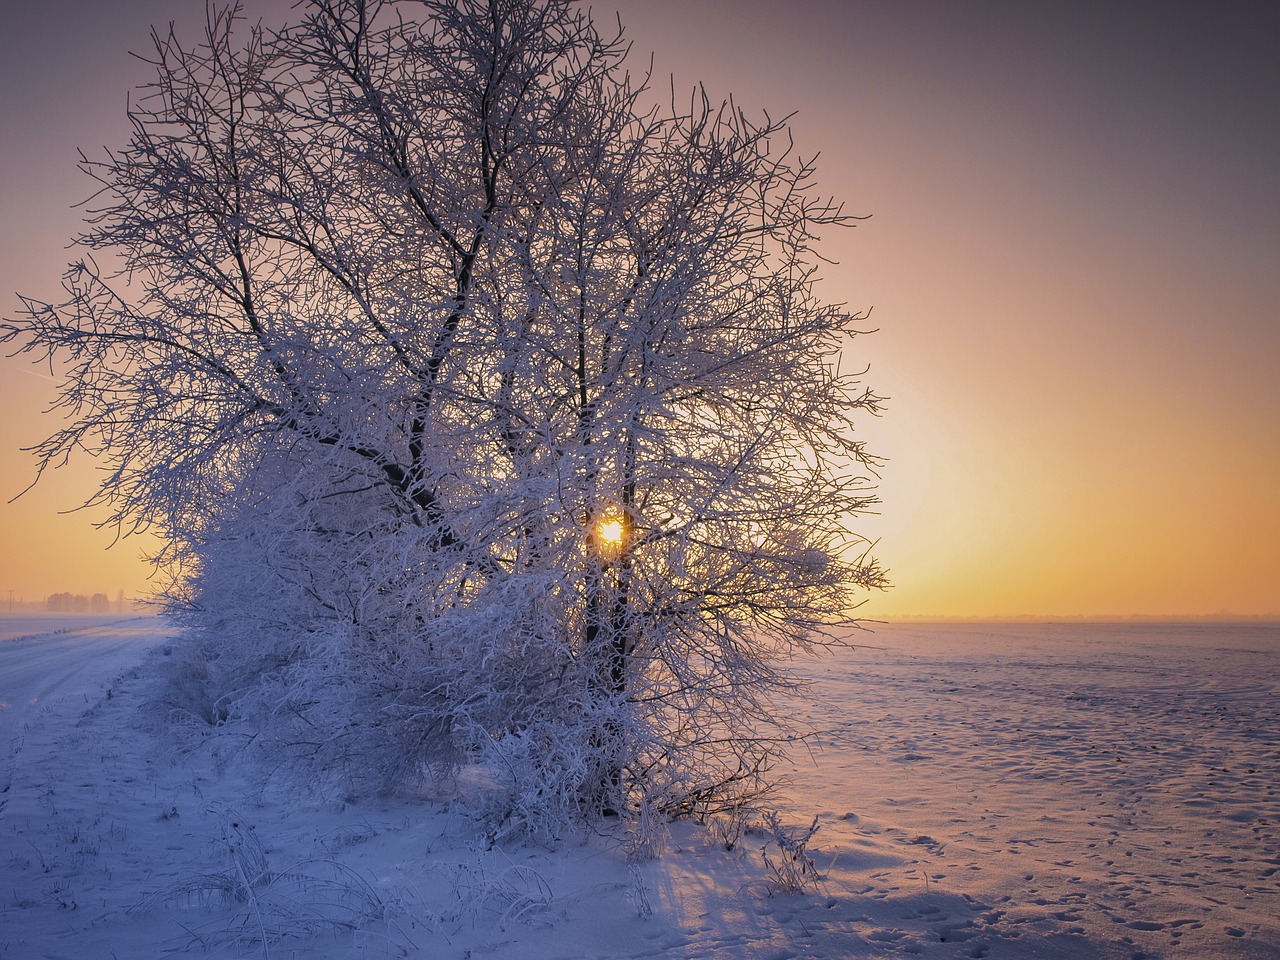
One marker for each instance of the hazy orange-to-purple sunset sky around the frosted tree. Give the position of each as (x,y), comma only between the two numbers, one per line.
(1073,260)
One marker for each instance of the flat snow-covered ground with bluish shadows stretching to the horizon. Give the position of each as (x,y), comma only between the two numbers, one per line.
(1005,790)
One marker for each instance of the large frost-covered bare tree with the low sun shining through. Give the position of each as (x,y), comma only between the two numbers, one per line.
(487,408)
